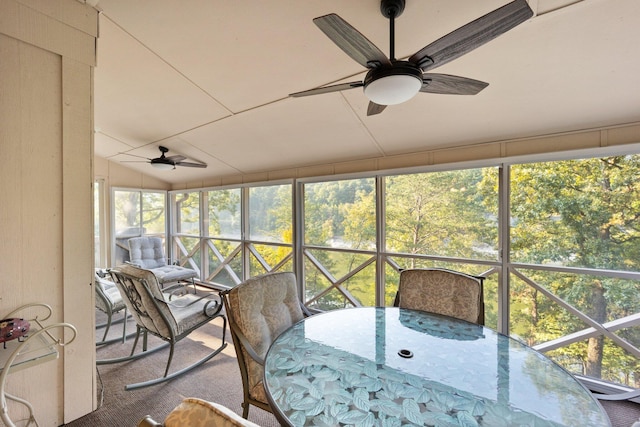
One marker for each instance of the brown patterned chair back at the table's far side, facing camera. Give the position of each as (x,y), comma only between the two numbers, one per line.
(442,291)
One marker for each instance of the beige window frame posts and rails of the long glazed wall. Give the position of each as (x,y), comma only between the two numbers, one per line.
(502,268)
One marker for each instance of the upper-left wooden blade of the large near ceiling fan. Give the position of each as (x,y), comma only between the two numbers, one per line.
(351,41)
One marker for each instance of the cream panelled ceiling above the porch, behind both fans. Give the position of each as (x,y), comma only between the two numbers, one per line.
(210,79)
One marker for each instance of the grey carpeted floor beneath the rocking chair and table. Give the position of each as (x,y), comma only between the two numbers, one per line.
(218,380)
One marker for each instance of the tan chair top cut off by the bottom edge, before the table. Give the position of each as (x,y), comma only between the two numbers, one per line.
(193,412)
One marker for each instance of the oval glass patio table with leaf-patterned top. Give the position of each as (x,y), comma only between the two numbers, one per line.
(390,366)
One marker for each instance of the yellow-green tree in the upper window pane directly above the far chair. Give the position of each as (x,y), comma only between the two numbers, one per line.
(440,214)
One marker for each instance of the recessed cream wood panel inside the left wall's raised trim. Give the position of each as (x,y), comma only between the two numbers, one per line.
(31,186)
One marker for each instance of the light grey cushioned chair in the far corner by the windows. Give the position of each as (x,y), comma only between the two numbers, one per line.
(147,252)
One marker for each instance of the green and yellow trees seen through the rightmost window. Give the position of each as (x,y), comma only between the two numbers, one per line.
(581,213)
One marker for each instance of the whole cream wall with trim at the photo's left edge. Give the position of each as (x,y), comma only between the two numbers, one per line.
(47,55)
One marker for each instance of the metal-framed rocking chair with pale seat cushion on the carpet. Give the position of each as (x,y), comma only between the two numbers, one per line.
(168,316)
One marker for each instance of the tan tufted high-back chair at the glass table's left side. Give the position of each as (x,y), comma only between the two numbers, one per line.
(259,310)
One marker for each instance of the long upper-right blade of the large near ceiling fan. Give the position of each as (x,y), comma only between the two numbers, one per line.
(472,35)
